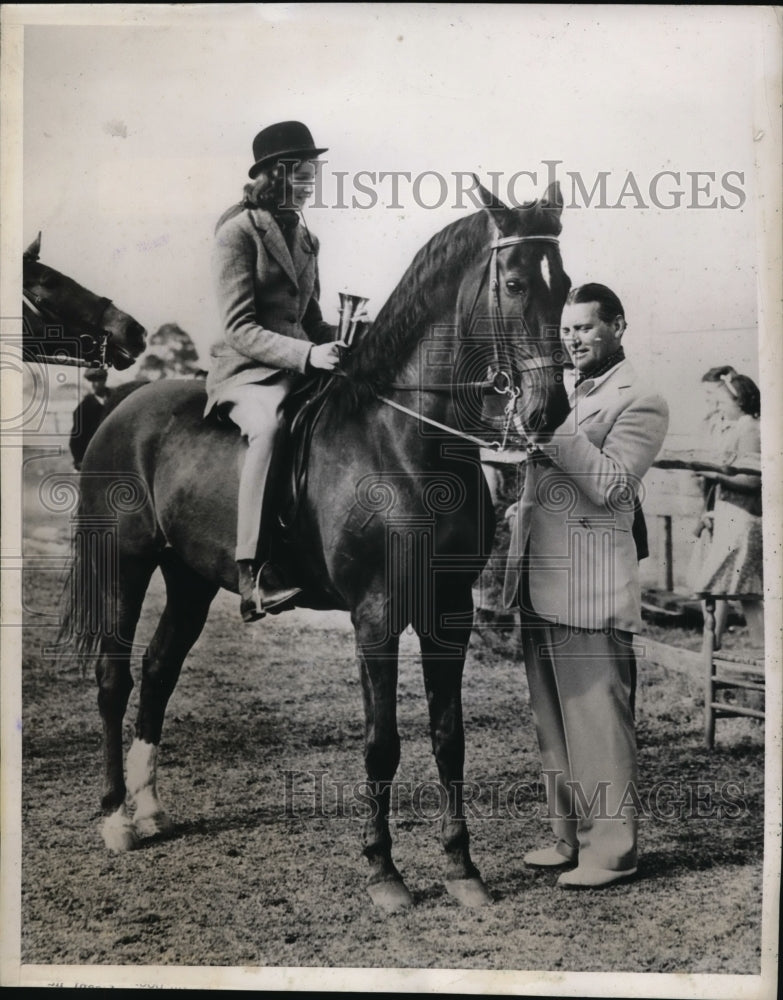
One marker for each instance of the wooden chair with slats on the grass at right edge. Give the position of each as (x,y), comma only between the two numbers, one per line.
(726,670)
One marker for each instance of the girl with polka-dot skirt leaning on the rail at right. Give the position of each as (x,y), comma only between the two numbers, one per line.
(734,560)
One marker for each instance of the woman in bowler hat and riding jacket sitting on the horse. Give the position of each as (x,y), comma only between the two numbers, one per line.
(267,284)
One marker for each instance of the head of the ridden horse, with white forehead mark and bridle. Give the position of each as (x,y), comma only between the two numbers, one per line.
(517,307)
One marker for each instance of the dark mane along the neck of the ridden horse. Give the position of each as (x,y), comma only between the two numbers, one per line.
(423,295)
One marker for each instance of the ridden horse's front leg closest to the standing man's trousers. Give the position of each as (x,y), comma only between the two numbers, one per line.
(443,650)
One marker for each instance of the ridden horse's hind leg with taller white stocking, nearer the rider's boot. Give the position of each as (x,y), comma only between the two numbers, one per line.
(188,597)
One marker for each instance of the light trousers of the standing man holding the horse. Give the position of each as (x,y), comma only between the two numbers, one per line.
(580,691)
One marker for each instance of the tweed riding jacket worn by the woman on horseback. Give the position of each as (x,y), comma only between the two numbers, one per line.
(268,301)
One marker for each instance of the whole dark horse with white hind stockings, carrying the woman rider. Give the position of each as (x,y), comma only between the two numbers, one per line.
(394,523)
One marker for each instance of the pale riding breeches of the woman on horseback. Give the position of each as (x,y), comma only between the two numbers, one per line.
(254,408)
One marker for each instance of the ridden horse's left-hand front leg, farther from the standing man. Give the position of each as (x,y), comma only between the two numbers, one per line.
(377,652)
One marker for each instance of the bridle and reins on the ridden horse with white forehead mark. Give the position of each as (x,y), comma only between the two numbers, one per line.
(502,381)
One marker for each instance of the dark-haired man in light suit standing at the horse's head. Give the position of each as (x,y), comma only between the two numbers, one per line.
(573,570)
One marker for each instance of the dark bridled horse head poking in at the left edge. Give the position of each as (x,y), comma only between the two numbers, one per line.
(65,323)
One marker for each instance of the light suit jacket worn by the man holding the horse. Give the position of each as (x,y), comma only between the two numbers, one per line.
(575,517)
